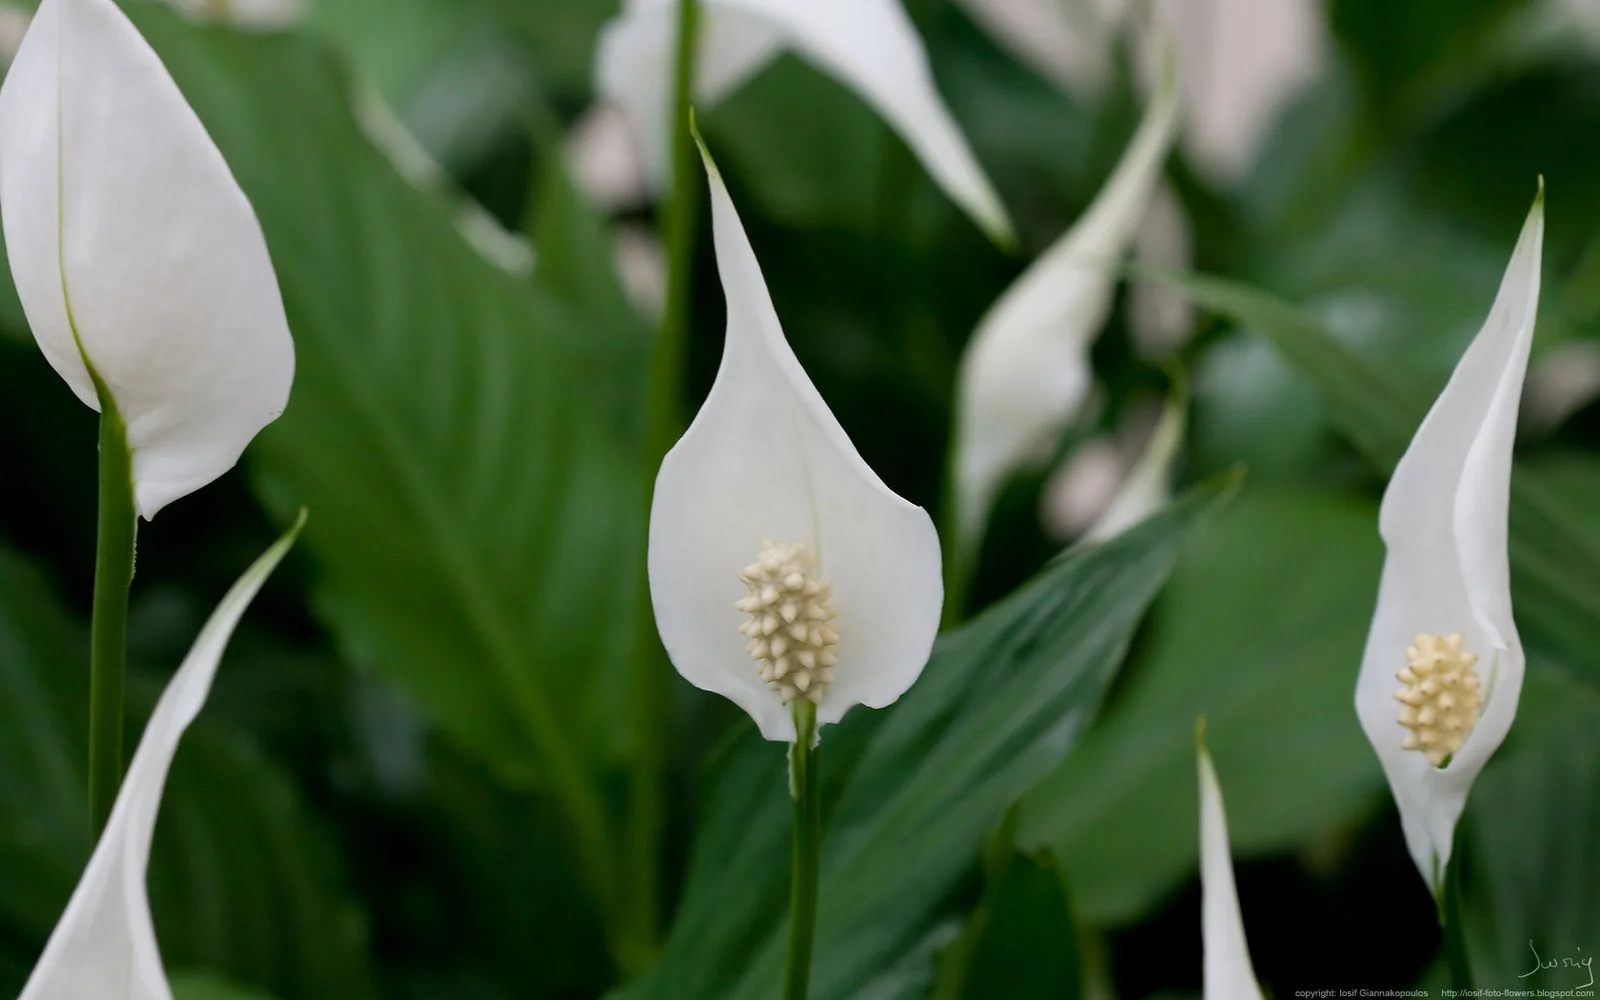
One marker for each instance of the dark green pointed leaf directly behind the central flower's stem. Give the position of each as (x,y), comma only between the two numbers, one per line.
(911,793)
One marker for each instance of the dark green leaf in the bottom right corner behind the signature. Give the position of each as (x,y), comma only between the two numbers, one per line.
(1530,841)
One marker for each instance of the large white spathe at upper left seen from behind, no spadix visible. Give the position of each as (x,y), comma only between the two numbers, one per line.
(135,252)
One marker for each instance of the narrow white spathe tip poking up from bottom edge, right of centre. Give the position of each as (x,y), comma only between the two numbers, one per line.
(1228,970)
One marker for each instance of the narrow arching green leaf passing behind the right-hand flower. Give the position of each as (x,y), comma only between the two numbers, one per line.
(1554,551)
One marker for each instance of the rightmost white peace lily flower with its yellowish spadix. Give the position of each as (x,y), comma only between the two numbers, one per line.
(1444,666)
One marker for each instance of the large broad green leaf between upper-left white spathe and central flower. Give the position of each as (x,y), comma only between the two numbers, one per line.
(479,527)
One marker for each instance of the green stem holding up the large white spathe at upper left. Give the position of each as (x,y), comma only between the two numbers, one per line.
(110,625)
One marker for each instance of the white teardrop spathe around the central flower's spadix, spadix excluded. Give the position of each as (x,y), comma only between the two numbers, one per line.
(766,460)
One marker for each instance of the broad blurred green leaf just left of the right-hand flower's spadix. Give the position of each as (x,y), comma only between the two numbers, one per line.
(1262,633)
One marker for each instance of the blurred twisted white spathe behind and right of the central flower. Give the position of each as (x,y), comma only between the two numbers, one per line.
(1026,370)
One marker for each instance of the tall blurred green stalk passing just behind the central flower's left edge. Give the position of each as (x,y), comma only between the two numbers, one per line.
(666,420)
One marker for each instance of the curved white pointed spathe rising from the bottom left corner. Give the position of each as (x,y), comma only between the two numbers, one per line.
(105,943)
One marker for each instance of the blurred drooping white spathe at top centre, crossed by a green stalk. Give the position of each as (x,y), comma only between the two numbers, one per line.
(870,46)
